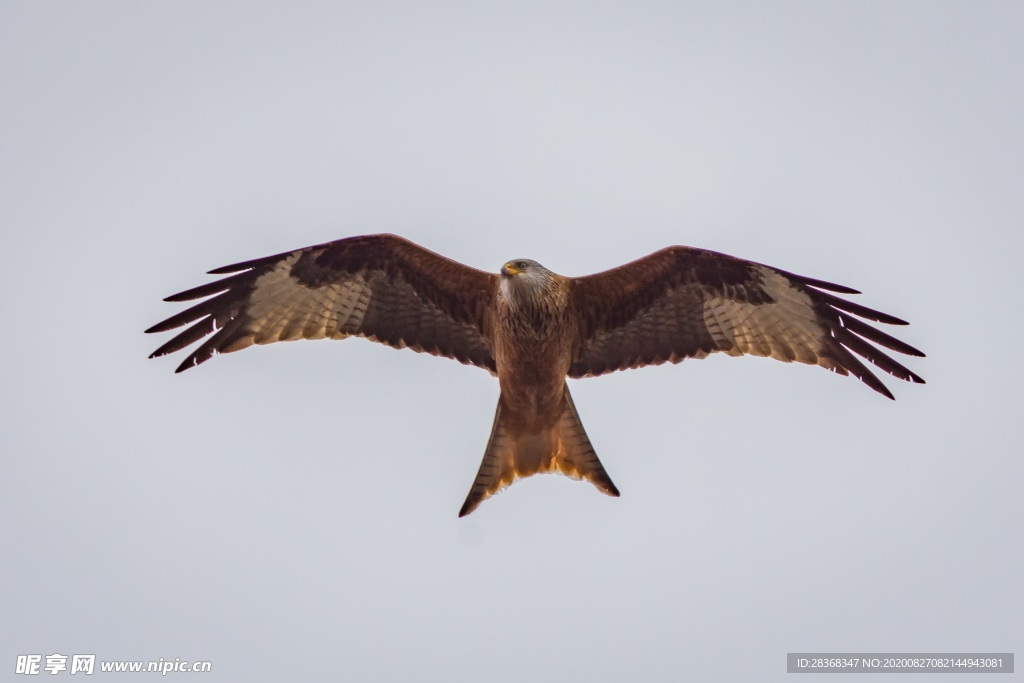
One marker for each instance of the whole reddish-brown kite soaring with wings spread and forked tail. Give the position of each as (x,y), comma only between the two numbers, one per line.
(533,328)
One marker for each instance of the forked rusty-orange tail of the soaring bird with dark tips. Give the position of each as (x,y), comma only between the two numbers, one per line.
(564,449)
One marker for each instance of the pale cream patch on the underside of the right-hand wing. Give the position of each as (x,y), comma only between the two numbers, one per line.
(787,330)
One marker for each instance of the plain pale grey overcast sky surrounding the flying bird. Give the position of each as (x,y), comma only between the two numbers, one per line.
(289,513)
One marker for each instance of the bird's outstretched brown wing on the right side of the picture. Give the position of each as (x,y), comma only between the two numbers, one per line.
(686,304)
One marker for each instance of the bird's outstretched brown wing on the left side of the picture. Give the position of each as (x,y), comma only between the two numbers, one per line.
(381,287)
